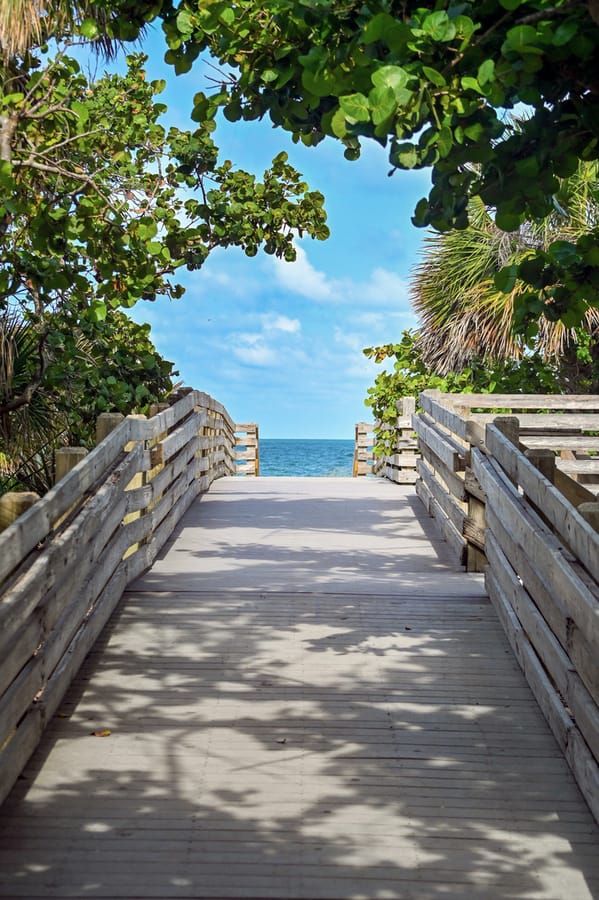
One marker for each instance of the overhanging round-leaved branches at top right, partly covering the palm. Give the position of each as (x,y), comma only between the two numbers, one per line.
(433,85)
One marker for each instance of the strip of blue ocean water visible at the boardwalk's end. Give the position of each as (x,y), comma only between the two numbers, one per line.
(330,458)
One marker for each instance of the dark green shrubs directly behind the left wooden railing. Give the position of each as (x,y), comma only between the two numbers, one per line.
(112,365)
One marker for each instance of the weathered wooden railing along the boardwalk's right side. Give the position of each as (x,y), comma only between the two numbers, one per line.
(501,489)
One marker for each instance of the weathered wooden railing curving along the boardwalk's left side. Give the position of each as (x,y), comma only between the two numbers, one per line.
(65,562)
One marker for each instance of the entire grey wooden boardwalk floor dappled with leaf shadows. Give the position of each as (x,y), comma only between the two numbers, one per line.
(304,700)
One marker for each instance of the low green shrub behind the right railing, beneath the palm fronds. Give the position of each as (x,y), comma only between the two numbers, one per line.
(410,376)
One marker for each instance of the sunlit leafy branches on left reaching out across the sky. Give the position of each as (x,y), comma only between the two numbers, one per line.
(103,206)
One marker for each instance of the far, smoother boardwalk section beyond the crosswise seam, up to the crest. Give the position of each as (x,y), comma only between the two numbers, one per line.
(366,537)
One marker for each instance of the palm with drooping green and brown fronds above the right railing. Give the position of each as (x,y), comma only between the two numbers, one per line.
(463,316)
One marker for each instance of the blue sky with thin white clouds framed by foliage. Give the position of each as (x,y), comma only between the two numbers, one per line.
(281,343)
